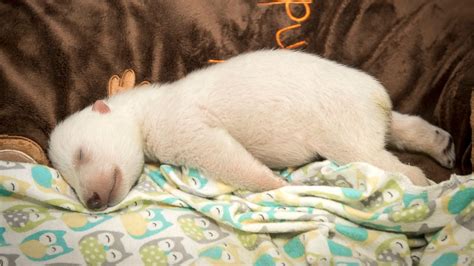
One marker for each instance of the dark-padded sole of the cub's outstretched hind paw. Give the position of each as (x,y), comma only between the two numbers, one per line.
(443,148)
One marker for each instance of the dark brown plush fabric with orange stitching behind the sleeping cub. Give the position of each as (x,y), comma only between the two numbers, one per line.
(56,57)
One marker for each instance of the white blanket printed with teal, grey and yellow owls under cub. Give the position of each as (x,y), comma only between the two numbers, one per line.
(352,214)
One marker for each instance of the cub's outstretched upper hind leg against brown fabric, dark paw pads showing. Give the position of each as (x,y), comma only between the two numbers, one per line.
(415,134)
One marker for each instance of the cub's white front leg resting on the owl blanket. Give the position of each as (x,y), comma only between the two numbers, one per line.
(220,156)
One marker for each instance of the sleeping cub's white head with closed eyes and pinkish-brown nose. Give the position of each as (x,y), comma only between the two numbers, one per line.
(99,152)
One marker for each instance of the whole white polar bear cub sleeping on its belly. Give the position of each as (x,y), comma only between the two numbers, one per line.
(235,121)
